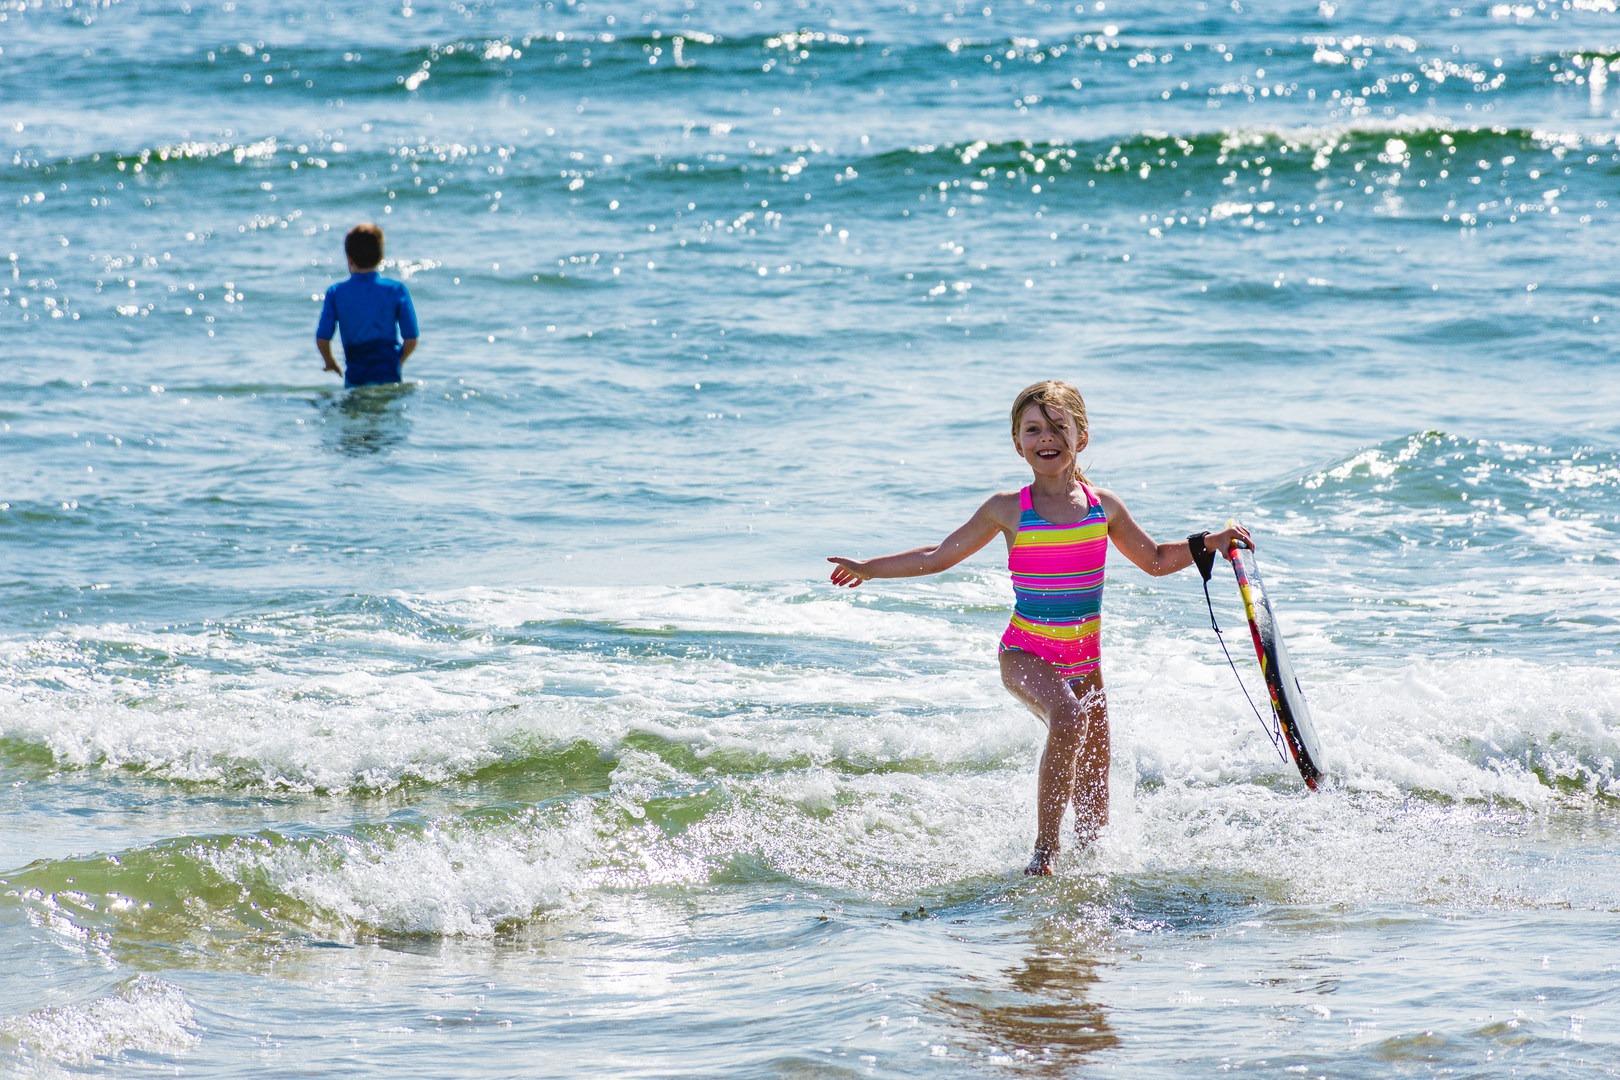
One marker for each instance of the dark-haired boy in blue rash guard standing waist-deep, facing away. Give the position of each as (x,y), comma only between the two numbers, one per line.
(375,313)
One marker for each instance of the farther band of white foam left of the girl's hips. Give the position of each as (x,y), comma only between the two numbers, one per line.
(250,705)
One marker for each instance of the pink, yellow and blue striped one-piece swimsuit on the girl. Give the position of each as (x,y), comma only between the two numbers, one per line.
(1059,582)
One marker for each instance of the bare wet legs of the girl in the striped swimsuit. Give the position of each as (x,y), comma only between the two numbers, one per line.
(1076,749)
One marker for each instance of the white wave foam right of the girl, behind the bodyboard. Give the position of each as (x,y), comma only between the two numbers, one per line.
(1462,729)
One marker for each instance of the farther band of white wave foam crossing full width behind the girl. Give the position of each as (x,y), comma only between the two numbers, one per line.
(1488,728)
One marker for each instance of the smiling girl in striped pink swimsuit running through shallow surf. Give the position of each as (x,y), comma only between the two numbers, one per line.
(1057,534)
